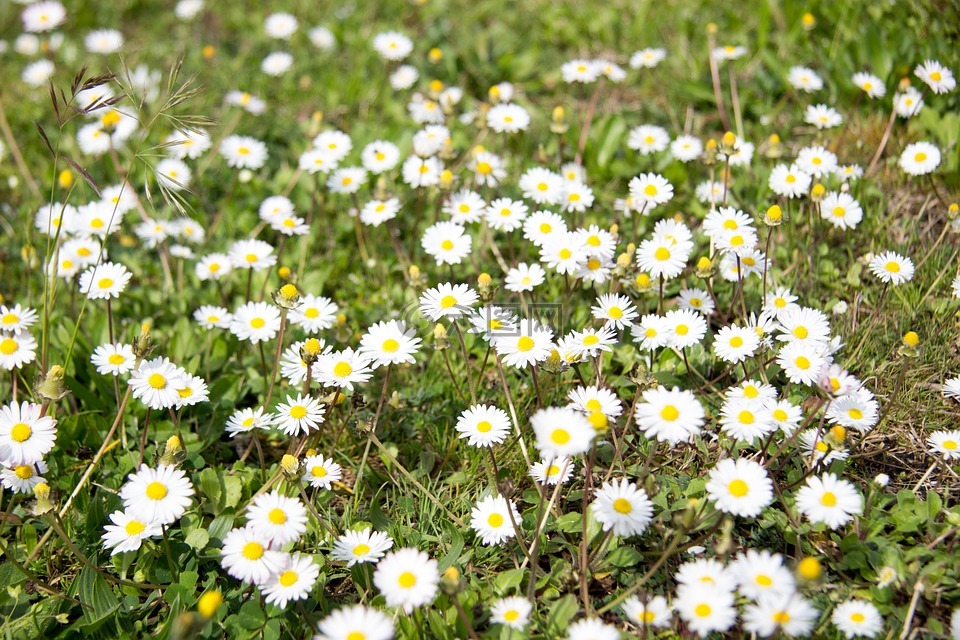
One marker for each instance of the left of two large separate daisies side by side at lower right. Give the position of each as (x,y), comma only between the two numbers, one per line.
(740,487)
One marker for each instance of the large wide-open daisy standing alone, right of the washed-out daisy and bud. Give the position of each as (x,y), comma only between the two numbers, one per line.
(669,415)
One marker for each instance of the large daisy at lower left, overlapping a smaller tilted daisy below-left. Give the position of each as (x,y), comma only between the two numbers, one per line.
(158,496)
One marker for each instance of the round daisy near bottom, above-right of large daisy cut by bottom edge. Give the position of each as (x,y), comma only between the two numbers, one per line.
(407,578)
